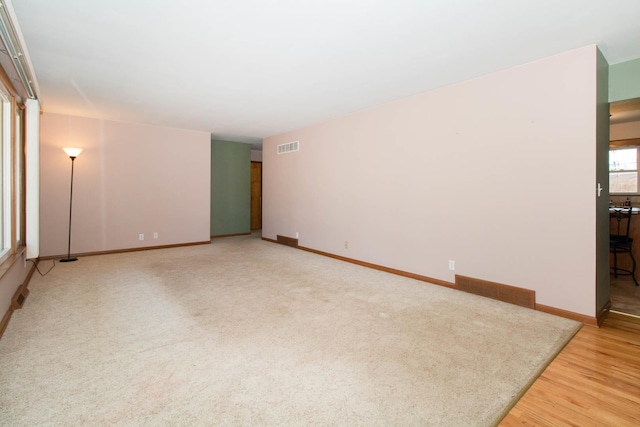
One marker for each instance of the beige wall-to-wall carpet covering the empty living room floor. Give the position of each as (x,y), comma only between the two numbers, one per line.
(246,332)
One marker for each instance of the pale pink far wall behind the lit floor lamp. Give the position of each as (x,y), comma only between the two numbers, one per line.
(130,179)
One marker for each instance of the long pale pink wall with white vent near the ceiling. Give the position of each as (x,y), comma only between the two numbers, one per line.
(496,173)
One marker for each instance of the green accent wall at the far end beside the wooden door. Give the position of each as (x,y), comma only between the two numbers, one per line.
(230,188)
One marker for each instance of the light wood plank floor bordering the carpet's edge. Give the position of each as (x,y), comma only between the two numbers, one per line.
(594,381)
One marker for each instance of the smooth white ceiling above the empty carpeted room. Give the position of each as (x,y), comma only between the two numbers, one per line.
(247,69)
